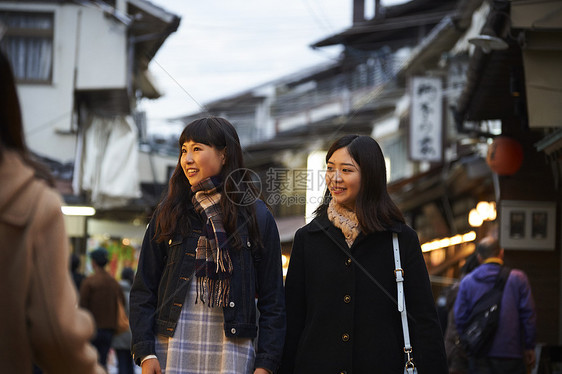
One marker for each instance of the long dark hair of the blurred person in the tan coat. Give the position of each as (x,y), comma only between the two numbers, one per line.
(11,125)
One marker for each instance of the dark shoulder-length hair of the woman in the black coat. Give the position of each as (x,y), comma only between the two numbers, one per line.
(374,208)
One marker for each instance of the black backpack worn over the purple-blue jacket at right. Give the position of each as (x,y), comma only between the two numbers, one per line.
(483,321)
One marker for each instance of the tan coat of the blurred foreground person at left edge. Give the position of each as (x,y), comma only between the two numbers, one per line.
(39,318)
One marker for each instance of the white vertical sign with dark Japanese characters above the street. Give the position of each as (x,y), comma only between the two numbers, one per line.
(426,127)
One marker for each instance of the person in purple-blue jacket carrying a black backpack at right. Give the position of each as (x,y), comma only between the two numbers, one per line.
(510,349)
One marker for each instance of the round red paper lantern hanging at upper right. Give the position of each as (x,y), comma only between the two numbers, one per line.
(505,155)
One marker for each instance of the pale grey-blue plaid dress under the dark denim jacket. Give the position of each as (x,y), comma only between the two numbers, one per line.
(199,345)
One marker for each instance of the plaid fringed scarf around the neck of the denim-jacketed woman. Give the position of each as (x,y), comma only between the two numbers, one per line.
(213,267)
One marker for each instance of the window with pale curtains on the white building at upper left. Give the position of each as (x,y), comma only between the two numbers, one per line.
(28,43)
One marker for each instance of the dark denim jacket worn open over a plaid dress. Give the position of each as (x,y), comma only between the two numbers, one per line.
(163,276)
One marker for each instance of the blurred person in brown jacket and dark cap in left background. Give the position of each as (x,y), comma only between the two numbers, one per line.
(100,293)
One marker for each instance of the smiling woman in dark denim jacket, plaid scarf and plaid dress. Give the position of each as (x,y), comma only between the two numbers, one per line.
(210,250)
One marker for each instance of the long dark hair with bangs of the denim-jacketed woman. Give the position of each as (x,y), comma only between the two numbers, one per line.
(176,208)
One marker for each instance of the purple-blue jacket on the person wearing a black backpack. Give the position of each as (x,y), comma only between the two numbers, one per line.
(517,327)
